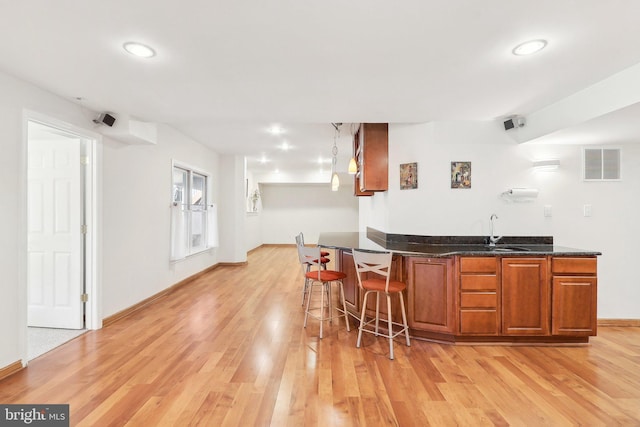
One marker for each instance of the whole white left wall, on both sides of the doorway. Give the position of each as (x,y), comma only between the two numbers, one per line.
(136,185)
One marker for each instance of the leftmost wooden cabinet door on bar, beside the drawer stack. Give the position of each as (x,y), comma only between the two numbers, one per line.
(431,298)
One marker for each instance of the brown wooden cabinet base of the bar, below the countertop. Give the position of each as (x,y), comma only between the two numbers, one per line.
(489,298)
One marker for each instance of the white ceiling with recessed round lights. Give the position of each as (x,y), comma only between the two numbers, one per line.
(226,71)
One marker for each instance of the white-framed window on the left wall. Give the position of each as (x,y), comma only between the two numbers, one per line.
(192,217)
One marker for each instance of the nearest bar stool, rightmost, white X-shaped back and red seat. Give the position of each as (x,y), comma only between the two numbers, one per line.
(377,265)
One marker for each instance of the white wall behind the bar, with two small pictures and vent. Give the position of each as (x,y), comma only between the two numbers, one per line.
(499,163)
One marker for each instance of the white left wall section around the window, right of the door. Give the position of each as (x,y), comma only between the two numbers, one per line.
(136,220)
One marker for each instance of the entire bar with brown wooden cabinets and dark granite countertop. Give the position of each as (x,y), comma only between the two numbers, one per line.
(460,289)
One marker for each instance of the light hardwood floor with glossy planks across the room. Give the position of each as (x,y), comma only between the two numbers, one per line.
(229,349)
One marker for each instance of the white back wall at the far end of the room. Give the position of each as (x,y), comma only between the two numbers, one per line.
(288,209)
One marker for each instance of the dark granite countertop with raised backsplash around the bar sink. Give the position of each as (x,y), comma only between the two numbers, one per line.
(445,246)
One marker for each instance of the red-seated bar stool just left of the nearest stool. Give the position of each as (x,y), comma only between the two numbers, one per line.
(322,278)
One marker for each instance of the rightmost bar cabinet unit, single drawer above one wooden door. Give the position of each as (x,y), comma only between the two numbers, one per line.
(574,296)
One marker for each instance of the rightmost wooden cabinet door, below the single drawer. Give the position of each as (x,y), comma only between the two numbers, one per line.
(574,306)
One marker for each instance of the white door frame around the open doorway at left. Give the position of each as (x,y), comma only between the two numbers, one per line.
(93,312)
